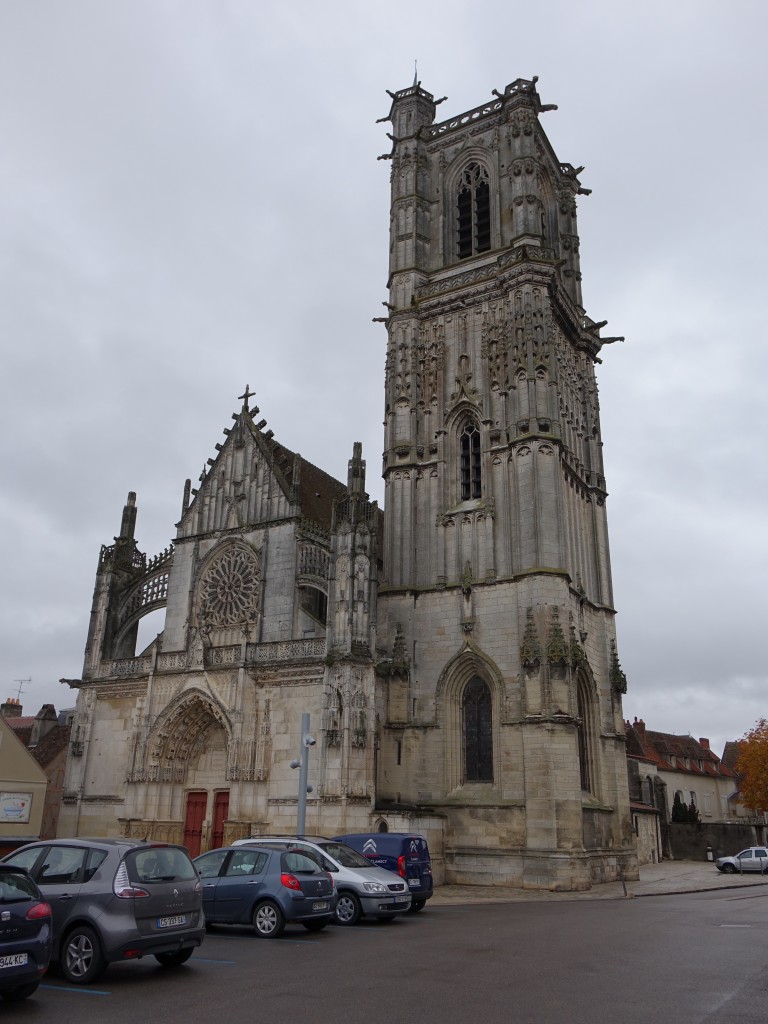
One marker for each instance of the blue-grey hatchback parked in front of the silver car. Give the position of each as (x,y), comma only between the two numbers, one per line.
(266,887)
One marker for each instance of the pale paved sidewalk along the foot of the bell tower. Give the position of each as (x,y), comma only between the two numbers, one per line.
(656,880)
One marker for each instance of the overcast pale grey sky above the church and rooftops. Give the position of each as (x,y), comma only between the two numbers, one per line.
(191,201)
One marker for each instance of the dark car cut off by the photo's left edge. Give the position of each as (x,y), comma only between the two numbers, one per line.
(25,934)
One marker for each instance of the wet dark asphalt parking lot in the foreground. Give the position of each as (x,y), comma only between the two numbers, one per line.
(689,958)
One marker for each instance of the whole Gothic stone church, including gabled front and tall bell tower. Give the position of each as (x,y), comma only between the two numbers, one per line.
(457,651)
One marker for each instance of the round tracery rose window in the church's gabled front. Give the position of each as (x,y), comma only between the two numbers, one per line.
(230,588)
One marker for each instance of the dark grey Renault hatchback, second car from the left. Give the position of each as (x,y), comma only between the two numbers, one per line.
(116,900)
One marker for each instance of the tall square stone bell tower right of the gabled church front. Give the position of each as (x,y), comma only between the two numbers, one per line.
(504,711)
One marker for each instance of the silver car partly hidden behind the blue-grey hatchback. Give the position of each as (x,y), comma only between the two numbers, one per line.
(363,888)
